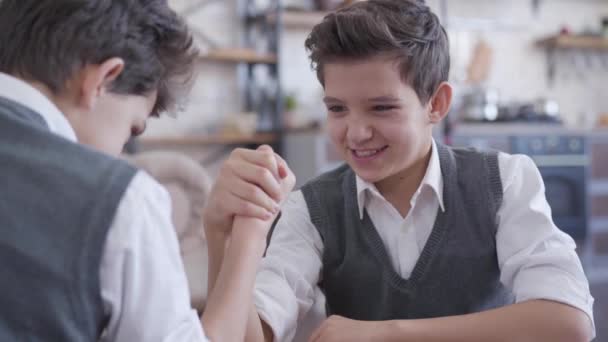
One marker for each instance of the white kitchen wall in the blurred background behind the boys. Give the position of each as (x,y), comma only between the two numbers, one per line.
(519,68)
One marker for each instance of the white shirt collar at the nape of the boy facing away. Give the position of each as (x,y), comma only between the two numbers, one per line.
(19,91)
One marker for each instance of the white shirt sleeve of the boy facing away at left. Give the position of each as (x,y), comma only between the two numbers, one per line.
(143,284)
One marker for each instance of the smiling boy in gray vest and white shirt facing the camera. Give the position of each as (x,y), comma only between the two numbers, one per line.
(412,240)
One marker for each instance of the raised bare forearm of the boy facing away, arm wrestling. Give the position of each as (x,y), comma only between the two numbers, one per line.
(230,300)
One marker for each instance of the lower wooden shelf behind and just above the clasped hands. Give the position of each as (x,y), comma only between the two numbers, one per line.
(215,139)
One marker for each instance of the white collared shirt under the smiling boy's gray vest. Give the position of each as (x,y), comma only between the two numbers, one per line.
(536,259)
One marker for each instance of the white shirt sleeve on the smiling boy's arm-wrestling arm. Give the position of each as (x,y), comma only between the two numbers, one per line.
(289,274)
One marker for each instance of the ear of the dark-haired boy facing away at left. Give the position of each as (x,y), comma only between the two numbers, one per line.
(96,80)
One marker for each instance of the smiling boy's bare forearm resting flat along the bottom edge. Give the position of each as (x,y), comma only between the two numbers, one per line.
(530,321)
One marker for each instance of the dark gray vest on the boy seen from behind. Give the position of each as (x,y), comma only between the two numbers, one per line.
(57,201)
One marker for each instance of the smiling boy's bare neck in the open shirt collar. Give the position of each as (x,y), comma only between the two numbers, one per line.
(399,189)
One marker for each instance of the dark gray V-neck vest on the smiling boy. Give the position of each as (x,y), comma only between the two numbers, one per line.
(457,272)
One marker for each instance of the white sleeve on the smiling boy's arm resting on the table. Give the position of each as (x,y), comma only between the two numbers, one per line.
(536,259)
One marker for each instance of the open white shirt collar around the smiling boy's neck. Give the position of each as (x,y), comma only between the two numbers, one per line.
(432,179)
